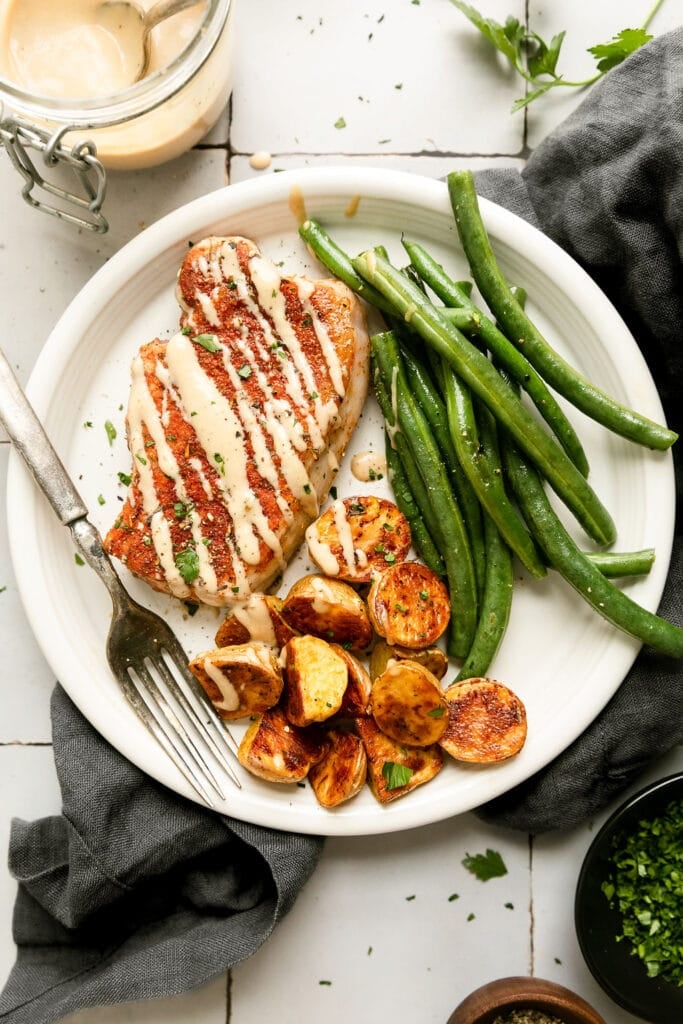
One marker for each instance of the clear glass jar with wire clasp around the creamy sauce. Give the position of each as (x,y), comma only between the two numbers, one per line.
(146,124)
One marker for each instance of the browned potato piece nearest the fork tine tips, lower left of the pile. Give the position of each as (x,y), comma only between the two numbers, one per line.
(275,750)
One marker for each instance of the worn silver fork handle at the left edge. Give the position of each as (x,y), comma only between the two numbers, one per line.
(32,443)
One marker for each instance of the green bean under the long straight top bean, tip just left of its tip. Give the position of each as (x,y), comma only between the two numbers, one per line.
(482,465)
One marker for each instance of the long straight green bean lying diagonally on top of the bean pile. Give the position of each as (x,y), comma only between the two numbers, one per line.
(476,371)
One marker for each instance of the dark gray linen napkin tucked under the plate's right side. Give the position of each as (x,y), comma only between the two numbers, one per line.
(608,186)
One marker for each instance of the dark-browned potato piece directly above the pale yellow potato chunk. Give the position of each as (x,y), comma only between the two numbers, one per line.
(328,609)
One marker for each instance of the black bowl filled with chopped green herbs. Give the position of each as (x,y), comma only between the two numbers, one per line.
(629,907)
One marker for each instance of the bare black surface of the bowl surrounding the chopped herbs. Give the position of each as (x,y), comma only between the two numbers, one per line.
(621,974)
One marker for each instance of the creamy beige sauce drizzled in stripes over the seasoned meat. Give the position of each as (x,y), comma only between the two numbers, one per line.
(223,428)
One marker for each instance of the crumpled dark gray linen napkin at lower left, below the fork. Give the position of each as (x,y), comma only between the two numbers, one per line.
(134,892)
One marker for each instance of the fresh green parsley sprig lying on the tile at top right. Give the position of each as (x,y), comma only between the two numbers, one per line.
(536,61)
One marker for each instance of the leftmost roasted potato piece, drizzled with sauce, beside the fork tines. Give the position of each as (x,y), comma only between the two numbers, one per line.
(241,680)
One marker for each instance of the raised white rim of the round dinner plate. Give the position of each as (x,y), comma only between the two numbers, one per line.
(219,205)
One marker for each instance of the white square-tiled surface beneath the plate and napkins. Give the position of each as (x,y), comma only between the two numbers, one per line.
(417,91)
